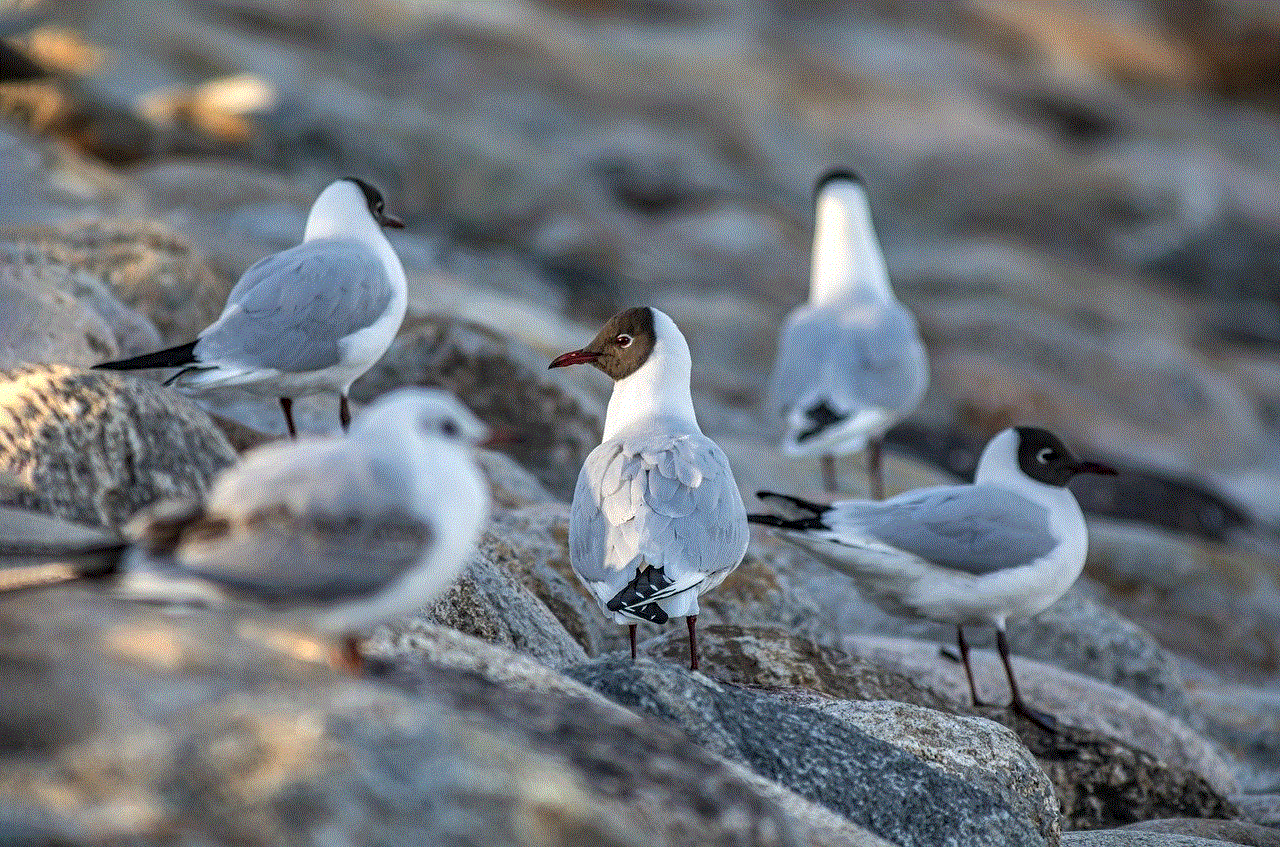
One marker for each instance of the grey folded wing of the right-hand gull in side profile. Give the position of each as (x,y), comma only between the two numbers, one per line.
(975,529)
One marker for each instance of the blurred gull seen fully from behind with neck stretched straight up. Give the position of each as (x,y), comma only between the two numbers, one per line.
(851,363)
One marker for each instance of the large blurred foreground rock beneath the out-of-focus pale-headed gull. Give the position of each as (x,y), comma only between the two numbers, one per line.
(212,732)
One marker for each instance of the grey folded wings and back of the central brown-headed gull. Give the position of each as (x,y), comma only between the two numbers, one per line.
(669,500)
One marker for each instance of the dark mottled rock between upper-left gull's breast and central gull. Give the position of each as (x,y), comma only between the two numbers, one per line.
(504,383)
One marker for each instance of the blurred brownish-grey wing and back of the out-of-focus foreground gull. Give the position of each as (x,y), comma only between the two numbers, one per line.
(326,528)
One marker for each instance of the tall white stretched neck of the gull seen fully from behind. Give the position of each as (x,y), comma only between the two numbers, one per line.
(847,259)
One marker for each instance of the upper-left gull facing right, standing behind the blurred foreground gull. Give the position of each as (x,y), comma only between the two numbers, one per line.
(307,321)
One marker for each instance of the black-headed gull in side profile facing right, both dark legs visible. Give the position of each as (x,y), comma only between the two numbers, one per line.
(1007,547)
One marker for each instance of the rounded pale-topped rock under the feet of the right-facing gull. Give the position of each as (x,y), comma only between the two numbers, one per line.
(1113,761)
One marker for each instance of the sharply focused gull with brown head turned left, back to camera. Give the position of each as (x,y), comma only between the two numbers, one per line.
(657,519)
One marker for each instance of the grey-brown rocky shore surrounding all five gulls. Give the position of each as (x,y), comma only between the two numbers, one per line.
(1082,205)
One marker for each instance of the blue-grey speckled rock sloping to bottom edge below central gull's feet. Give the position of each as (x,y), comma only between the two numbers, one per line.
(875,785)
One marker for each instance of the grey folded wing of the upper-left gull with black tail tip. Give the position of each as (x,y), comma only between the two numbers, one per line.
(291,310)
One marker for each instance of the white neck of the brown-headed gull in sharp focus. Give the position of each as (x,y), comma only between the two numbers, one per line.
(660,388)
